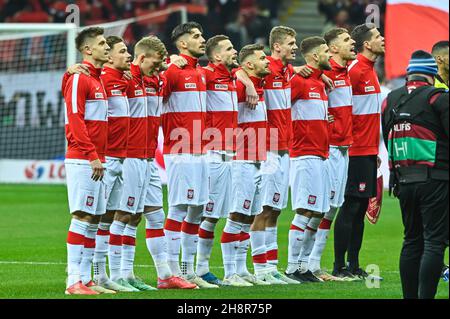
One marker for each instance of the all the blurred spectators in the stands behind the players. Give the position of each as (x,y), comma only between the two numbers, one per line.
(244,21)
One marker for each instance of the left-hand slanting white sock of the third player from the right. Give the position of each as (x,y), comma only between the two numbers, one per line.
(296,234)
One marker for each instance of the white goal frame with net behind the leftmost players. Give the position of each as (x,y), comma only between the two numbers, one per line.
(33,59)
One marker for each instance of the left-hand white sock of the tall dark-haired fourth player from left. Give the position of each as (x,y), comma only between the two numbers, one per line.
(172,231)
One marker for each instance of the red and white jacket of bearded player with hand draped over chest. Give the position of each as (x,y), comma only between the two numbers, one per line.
(251,137)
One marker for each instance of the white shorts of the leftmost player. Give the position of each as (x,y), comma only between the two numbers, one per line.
(84,194)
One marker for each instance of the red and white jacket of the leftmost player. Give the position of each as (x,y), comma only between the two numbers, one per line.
(86,116)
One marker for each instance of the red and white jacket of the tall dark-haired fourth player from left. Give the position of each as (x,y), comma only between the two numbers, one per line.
(184,109)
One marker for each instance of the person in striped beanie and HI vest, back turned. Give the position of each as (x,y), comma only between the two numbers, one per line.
(415,121)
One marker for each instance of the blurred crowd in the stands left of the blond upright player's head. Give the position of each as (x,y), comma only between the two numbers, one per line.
(244,21)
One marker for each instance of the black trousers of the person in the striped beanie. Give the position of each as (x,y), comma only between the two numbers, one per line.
(425,218)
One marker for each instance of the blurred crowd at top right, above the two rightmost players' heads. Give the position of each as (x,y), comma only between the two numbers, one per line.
(349,13)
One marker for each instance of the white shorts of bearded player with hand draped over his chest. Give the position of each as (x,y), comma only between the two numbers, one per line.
(246,189)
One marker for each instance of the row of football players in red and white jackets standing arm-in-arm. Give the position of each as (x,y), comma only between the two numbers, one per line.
(112,122)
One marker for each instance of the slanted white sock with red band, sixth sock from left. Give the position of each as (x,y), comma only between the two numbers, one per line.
(156,242)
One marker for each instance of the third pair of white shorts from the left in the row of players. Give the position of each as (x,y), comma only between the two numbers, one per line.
(134,185)
